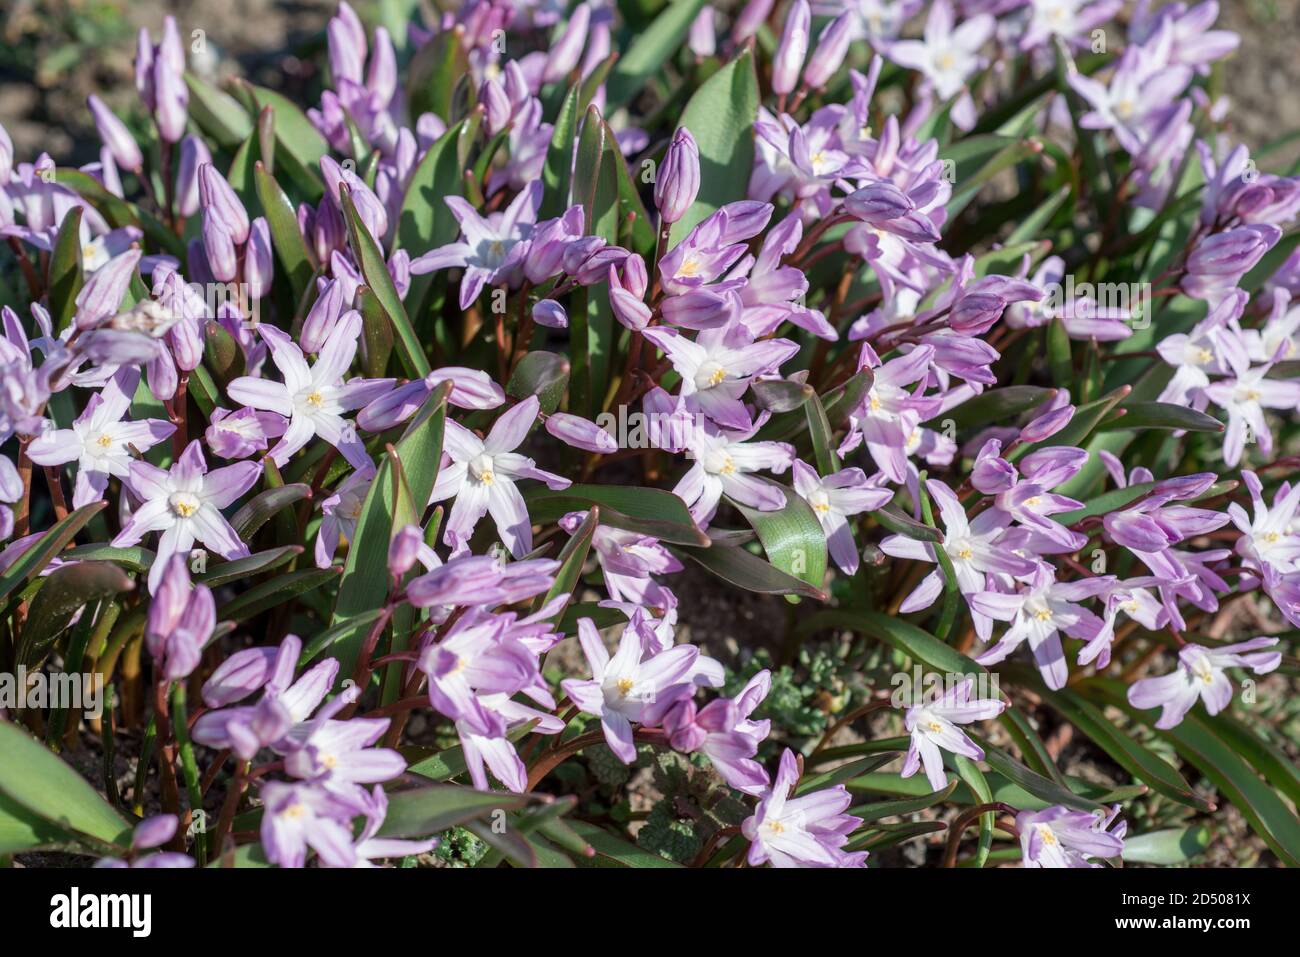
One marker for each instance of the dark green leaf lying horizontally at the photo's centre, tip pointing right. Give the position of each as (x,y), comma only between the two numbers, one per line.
(649,512)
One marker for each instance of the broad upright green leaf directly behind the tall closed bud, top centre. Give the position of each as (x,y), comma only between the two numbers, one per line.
(721,116)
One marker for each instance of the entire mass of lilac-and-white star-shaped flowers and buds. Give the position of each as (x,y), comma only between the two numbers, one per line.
(723,304)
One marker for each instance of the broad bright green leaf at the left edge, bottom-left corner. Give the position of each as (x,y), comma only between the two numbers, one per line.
(33,778)
